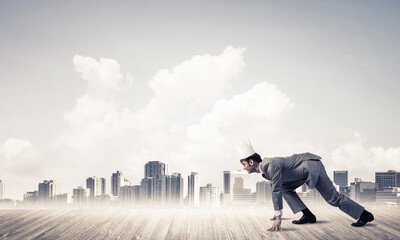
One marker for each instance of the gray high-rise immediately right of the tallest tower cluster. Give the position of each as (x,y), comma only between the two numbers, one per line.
(175,190)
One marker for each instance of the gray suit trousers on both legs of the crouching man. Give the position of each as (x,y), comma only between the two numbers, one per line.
(328,191)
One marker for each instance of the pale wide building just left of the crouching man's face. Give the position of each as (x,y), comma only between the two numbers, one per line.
(237,187)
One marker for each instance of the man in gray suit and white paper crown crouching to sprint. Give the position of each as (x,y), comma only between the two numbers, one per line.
(288,173)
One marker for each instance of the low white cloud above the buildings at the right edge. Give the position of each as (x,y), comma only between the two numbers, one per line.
(362,161)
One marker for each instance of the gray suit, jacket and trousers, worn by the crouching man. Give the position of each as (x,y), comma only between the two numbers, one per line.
(288,173)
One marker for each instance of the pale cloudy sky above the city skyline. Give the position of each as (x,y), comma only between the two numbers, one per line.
(91,87)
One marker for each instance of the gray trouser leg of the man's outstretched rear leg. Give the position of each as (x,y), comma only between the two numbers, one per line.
(331,196)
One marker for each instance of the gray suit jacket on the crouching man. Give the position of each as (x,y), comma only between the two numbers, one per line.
(290,169)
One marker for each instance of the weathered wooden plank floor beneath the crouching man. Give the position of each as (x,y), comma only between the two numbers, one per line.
(223,223)
